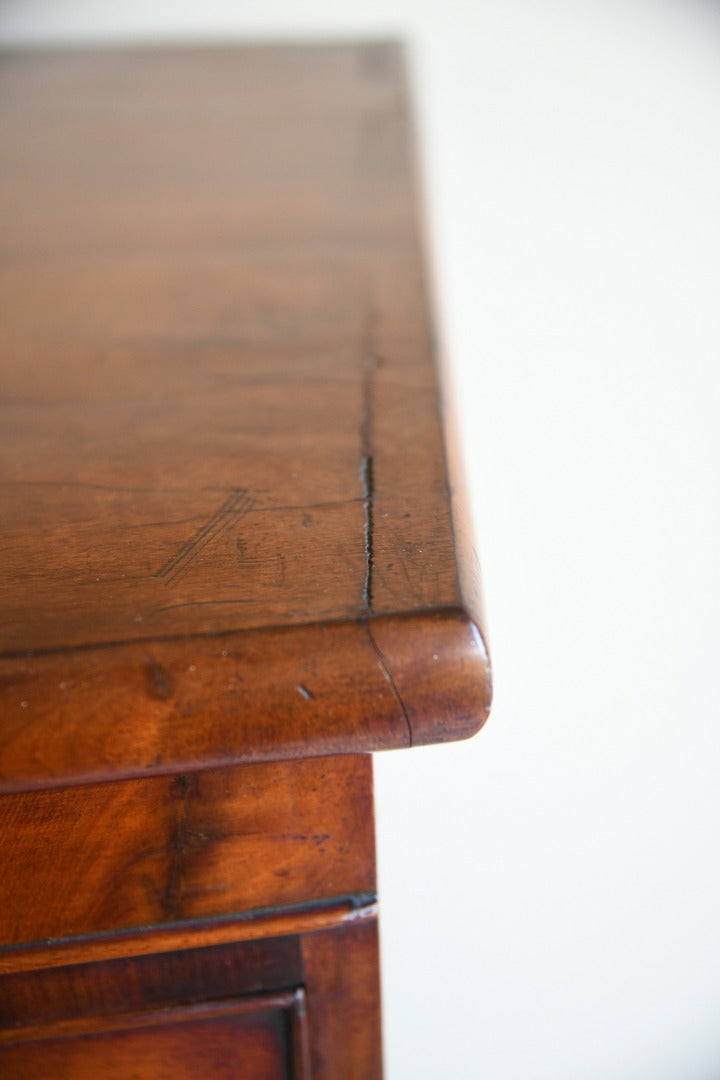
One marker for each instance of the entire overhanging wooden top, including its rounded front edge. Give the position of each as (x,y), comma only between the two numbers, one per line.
(219,408)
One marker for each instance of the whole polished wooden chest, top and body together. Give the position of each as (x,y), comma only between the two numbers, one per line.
(229,565)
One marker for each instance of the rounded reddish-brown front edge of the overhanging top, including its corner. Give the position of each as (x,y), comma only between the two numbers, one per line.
(175,706)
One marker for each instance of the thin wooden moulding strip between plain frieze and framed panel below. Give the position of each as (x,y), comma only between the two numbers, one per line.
(356,901)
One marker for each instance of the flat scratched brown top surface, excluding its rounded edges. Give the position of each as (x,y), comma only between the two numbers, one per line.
(196,376)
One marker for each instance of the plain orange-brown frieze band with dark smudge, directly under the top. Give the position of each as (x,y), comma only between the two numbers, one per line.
(150,853)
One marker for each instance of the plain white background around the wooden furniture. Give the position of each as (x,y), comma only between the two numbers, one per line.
(551,892)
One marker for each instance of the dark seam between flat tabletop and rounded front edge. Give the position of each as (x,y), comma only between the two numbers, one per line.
(218,634)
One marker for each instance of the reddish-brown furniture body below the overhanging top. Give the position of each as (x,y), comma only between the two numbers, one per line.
(254,880)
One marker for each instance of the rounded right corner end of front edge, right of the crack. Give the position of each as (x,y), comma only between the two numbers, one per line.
(441,669)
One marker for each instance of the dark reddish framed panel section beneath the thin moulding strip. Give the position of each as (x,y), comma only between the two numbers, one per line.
(316,992)
